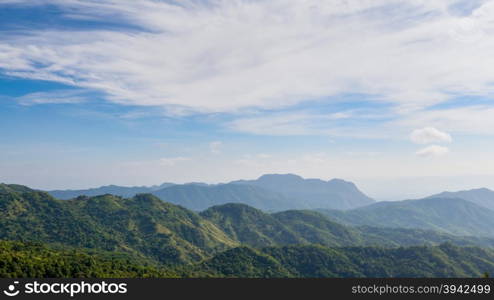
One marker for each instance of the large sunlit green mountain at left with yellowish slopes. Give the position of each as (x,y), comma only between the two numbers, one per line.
(142,225)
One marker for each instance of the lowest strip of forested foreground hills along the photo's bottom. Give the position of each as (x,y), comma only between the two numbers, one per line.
(28,260)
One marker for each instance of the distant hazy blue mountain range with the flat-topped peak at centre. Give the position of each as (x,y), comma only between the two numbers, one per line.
(269,192)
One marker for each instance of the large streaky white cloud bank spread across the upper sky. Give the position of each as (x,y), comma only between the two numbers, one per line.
(222,56)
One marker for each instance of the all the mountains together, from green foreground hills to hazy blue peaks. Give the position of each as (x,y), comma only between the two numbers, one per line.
(145,236)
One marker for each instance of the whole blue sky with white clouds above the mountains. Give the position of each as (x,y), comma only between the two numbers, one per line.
(396,96)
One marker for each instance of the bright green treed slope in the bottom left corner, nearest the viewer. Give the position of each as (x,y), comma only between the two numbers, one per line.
(35,260)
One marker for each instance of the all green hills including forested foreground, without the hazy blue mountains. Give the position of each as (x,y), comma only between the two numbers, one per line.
(144,236)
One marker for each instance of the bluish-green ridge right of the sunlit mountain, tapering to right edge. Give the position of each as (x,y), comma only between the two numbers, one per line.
(256,228)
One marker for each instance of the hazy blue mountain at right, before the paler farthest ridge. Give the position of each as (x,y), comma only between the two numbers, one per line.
(454,216)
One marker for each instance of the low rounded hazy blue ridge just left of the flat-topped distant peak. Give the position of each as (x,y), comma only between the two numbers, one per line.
(198,197)
